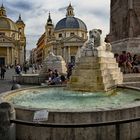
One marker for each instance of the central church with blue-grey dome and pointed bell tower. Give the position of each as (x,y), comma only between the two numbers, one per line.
(65,38)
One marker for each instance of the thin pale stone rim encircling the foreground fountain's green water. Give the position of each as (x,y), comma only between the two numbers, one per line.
(127,106)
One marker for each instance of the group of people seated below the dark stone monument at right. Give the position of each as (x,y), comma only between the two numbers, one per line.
(127,62)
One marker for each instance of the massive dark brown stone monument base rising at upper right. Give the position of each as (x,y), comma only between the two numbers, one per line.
(125,25)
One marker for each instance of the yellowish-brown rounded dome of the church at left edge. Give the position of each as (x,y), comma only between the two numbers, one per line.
(7,24)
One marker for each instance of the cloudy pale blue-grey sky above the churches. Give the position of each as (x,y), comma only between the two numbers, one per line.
(34,13)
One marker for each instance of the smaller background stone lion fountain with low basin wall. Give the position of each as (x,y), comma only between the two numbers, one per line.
(51,62)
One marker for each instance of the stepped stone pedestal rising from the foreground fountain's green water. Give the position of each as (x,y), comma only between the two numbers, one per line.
(96,69)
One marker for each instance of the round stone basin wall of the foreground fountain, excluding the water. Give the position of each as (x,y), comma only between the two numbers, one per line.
(68,115)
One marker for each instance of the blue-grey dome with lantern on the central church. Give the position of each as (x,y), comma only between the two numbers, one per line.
(70,22)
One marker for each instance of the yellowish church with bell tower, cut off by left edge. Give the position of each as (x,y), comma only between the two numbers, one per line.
(12,40)
